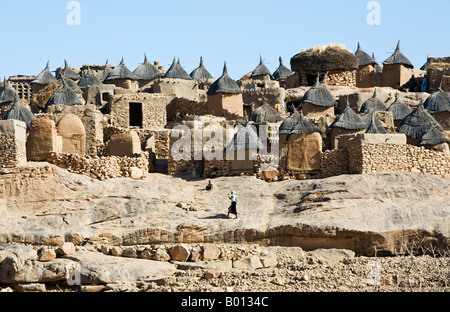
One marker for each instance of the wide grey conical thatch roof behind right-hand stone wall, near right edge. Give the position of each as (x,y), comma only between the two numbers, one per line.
(418,123)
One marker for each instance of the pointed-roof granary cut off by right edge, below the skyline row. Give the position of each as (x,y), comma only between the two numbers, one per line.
(438,105)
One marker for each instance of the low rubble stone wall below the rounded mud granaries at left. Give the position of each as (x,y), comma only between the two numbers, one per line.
(103,168)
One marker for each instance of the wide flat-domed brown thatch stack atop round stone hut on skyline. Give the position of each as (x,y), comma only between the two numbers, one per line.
(329,59)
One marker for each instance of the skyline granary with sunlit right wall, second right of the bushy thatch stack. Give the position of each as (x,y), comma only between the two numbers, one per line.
(397,69)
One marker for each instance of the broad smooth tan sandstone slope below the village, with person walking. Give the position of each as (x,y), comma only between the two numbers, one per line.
(379,214)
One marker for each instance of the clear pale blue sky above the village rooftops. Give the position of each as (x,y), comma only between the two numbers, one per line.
(233,31)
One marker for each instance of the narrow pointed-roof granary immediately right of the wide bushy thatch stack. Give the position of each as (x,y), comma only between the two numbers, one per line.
(367,75)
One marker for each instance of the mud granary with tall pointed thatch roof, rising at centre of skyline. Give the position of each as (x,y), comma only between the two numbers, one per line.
(225,94)
